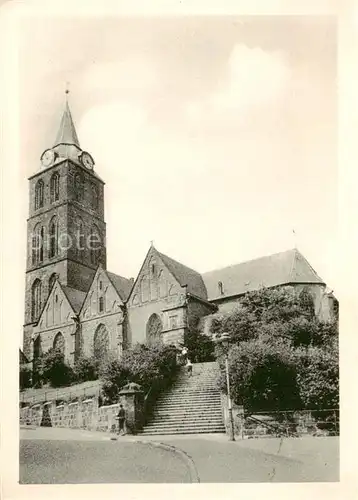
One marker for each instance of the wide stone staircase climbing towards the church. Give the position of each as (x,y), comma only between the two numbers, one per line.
(192,406)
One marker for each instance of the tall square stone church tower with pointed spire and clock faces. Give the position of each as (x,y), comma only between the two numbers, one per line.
(66,232)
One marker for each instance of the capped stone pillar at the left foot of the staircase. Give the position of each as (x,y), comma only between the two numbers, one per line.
(132,399)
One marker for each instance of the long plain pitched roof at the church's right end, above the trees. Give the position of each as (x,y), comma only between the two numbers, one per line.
(277,269)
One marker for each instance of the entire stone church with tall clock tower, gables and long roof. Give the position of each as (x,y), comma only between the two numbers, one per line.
(72,302)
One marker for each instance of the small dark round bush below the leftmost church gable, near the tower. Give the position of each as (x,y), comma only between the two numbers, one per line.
(52,368)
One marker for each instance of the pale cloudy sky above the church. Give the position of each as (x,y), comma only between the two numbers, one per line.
(215,136)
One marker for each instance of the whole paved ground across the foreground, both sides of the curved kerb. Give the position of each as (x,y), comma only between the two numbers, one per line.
(92,457)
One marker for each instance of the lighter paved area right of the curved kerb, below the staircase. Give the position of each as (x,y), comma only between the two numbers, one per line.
(262,460)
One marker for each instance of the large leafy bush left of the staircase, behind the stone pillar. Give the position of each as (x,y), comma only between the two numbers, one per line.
(152,367)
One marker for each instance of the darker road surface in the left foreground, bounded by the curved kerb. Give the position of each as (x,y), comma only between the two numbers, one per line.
(98,461)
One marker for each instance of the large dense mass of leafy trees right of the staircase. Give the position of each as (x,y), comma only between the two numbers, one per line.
(281,355)
